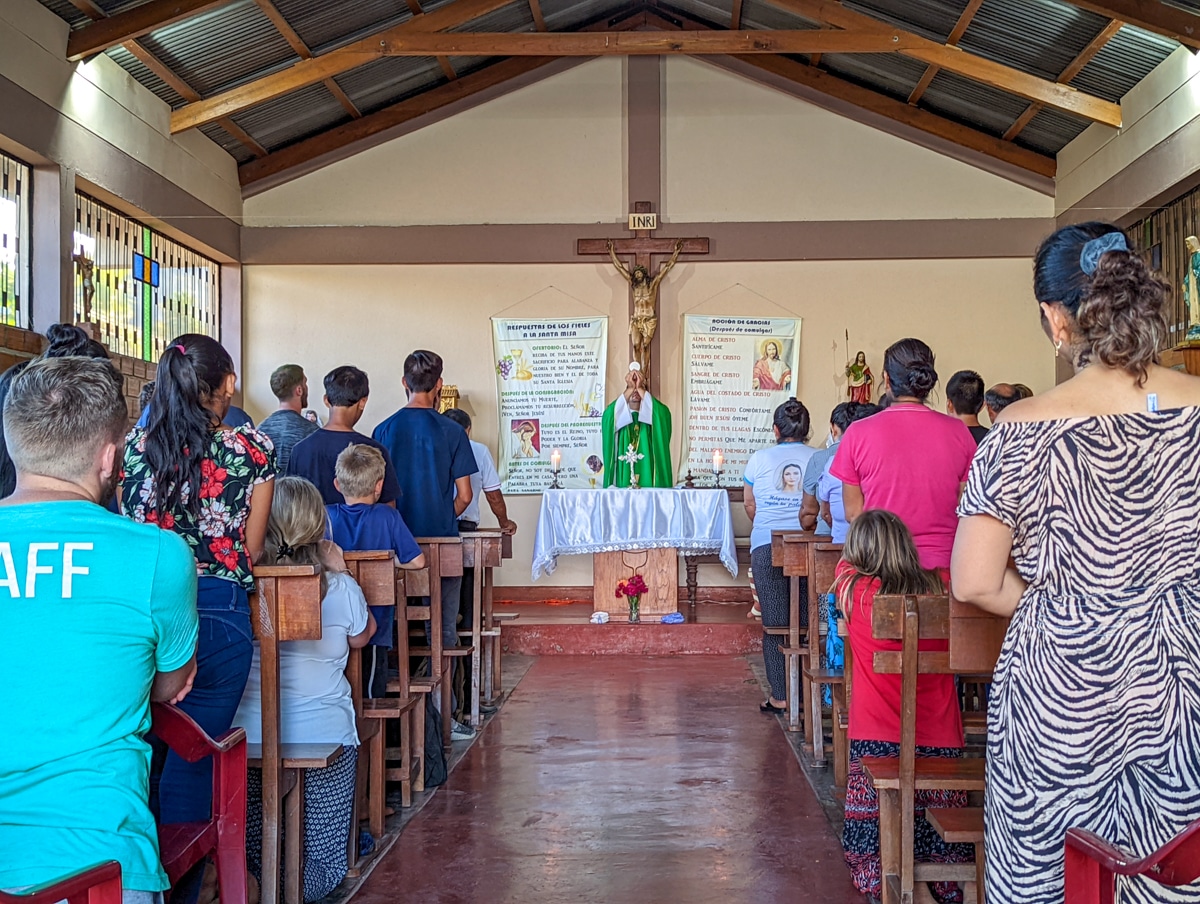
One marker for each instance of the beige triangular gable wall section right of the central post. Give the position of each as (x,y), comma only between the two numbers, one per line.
(736,151)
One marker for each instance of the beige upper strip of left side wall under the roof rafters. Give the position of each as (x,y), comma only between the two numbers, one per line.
(104,99)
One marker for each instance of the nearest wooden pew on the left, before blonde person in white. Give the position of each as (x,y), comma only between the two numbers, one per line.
(289,608)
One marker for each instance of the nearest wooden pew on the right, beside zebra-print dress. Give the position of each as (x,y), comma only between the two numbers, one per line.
(975,639)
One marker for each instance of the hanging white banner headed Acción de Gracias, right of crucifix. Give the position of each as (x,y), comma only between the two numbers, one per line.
(736,373)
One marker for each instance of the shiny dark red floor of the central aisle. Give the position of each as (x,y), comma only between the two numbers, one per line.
(623,780)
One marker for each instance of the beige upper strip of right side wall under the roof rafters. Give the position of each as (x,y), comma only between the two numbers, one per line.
(1161,105)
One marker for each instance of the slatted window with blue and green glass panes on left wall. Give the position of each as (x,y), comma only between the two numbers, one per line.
(140,289)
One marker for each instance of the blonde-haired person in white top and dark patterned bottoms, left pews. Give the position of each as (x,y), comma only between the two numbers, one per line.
(315,697)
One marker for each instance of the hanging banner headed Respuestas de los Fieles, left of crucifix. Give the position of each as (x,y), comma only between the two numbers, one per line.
(550,385)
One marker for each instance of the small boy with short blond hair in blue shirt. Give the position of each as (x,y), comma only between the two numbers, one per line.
(363,524)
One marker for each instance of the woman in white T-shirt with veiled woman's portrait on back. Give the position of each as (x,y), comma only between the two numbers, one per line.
(773,498)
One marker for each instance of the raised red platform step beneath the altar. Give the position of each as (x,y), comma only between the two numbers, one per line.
(563,628)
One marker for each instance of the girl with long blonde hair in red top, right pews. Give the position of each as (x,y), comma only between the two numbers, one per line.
(881,558)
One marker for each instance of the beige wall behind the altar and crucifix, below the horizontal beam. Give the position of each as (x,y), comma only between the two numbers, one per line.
(975,314)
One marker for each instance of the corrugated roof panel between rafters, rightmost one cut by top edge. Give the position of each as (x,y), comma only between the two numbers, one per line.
(1039,37)
